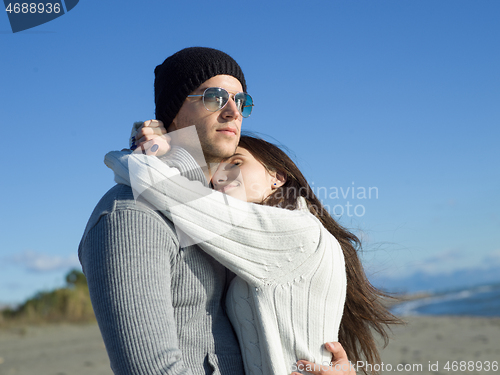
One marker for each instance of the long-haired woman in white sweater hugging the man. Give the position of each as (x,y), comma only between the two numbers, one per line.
(290,262)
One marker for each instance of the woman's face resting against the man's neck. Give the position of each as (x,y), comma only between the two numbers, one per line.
(244,177)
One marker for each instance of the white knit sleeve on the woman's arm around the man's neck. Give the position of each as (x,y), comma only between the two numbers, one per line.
(258,243)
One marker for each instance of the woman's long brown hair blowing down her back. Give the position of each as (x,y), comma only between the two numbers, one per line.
(364,309)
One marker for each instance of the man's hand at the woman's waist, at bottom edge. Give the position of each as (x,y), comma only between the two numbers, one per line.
(340,365)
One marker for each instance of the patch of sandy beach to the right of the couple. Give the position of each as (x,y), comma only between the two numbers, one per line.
(434,341)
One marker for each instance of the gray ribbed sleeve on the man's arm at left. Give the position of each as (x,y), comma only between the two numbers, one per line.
(126,257)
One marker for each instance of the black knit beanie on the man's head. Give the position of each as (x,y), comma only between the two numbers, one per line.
(183,72)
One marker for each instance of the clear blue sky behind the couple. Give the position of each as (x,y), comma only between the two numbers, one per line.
(399,96)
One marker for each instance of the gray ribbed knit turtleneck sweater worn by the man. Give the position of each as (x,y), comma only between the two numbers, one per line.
(159,307)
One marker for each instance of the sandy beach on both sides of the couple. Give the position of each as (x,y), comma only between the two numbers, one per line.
(423,342)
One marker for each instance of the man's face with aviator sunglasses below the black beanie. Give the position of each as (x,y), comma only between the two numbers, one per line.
(218,132)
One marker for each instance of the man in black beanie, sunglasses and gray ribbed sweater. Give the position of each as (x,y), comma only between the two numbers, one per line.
(160,306)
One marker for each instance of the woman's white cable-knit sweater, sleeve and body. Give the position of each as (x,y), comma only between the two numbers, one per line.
(288,297)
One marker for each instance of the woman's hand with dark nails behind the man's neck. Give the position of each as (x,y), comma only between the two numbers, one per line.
(151,138)
